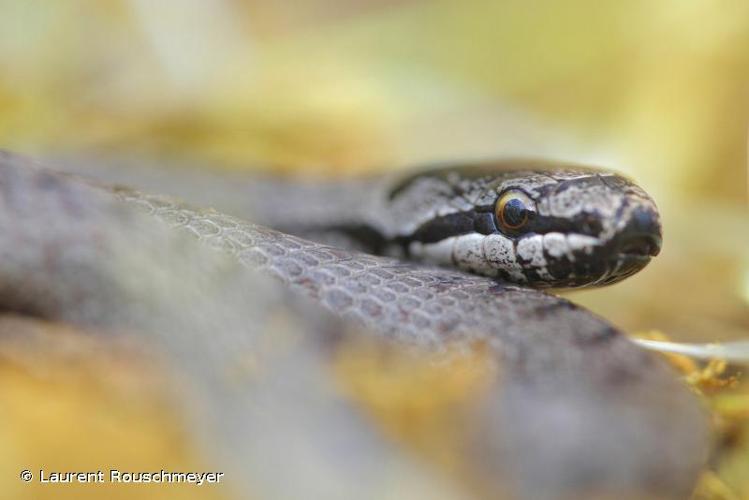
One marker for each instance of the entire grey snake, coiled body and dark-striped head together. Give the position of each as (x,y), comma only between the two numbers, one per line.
(577,410)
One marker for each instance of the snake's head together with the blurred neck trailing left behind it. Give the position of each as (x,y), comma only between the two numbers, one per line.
(538,223)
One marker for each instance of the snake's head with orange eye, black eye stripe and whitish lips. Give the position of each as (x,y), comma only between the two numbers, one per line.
(542,224)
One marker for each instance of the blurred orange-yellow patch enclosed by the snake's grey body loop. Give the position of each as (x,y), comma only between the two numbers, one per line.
(426,401)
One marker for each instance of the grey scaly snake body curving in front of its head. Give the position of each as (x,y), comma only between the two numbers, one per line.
(580,410)
